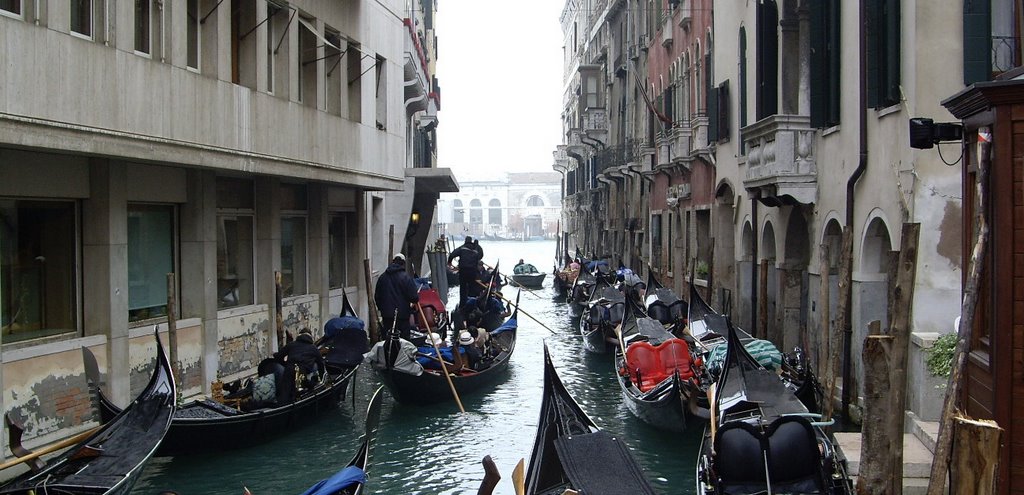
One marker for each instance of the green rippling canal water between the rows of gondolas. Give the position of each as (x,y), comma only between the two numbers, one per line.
(436,449)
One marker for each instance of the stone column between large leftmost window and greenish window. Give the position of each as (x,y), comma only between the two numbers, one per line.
(105,269)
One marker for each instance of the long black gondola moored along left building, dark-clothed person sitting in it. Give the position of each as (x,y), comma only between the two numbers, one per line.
(205,426)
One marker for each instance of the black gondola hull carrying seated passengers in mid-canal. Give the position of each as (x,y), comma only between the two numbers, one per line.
(412,384)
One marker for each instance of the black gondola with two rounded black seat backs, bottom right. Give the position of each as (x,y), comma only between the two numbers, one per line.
(762,439)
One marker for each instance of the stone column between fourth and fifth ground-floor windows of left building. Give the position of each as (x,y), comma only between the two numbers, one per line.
(320,244)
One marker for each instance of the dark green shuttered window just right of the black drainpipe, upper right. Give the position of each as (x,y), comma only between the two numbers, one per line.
(883,53)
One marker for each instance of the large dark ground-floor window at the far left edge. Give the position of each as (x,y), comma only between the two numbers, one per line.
(38,263)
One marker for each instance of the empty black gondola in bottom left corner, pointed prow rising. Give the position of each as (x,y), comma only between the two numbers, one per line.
(110,461)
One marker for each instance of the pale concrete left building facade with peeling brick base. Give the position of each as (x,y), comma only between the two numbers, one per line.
(220,142)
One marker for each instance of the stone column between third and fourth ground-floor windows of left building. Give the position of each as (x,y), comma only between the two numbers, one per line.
(268,249)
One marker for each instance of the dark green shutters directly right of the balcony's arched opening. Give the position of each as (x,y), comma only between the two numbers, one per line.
(826,64)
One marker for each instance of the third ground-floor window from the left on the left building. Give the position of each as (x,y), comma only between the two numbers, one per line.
(236,285)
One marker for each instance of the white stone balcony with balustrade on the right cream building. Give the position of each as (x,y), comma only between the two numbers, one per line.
(781,159)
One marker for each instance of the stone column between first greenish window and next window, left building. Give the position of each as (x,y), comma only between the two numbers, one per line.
(199,266)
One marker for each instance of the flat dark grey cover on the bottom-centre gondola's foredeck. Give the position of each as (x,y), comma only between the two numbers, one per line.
(601,465)
